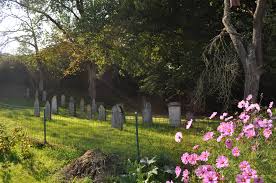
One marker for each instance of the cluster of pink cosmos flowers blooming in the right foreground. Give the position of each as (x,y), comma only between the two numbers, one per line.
(250,124)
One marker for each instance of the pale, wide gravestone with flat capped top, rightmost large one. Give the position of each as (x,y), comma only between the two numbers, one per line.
(174,113)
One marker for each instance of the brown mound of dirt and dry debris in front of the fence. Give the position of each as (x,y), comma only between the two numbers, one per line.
(93,164)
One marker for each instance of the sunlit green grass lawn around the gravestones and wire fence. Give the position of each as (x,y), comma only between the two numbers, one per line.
(70,137)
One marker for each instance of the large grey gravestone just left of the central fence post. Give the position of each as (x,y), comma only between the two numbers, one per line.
(118,117)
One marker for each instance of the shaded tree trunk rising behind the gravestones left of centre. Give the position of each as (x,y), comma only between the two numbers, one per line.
(92,80)
